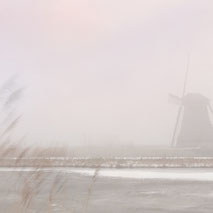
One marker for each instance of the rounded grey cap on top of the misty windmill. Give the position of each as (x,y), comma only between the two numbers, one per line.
(195,99)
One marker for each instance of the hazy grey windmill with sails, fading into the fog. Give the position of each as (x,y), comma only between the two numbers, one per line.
(193,126)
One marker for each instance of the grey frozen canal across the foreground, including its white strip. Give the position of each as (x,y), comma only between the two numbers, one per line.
(106,190)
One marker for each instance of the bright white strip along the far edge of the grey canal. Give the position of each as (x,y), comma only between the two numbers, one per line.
(143,174)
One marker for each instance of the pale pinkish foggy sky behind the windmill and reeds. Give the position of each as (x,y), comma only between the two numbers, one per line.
(99,72)
